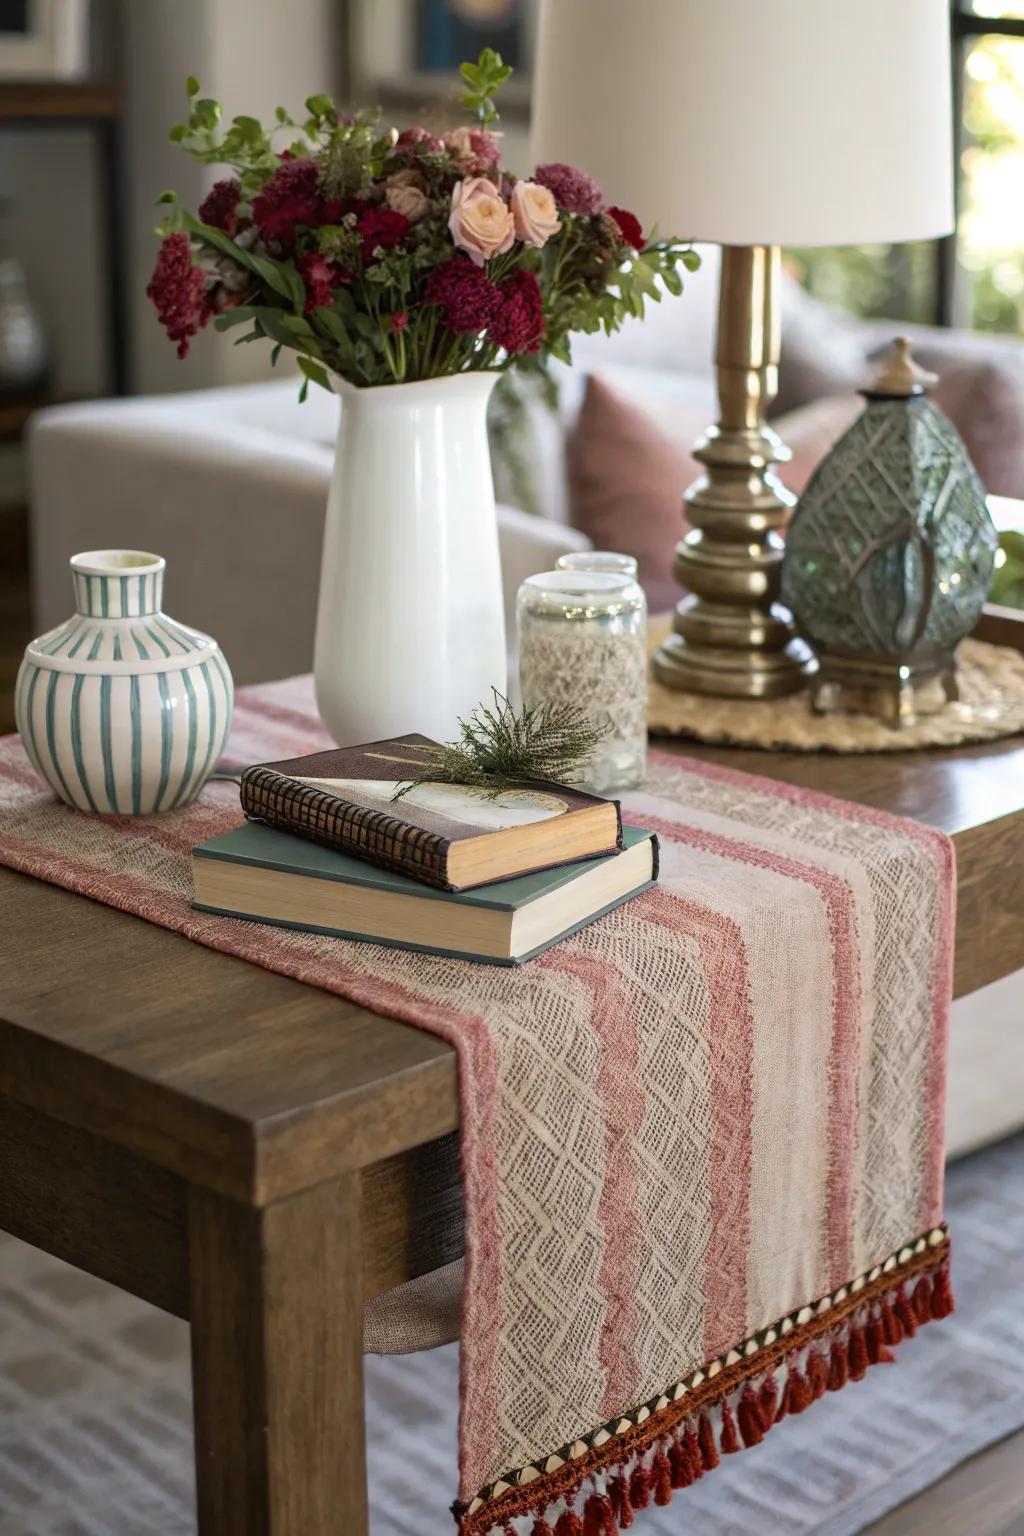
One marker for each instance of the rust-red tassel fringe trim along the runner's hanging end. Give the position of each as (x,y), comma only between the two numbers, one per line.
(595,1486)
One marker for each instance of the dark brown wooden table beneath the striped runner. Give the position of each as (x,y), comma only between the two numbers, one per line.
(260,1157)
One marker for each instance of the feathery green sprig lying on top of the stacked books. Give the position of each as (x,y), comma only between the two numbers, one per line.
(500,747)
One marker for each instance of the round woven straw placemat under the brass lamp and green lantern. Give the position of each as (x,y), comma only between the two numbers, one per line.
(991,706)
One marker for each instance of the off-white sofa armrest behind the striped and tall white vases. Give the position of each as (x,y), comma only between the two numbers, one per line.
(231,486)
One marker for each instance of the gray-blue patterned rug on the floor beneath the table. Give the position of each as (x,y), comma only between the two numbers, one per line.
(96,1434)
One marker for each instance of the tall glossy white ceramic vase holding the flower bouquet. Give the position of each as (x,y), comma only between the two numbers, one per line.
(411,631)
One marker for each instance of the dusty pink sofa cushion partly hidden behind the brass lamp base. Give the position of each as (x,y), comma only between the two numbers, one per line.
(630,462)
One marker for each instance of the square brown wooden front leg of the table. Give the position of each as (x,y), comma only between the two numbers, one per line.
(277,1363)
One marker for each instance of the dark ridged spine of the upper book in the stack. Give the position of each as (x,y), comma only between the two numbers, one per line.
(375,836)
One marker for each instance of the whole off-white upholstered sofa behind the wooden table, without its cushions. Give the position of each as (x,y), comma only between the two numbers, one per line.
(231,488)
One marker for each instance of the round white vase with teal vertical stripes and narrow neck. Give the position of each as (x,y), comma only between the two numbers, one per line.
(124,710)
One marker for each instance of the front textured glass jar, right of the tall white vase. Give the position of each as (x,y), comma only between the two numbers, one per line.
(583,641)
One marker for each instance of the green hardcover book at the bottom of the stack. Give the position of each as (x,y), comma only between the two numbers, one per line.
(274,878)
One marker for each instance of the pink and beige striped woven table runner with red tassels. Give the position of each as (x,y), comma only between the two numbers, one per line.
(702,1140)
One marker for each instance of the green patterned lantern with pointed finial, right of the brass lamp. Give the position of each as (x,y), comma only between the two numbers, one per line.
(890,554)
